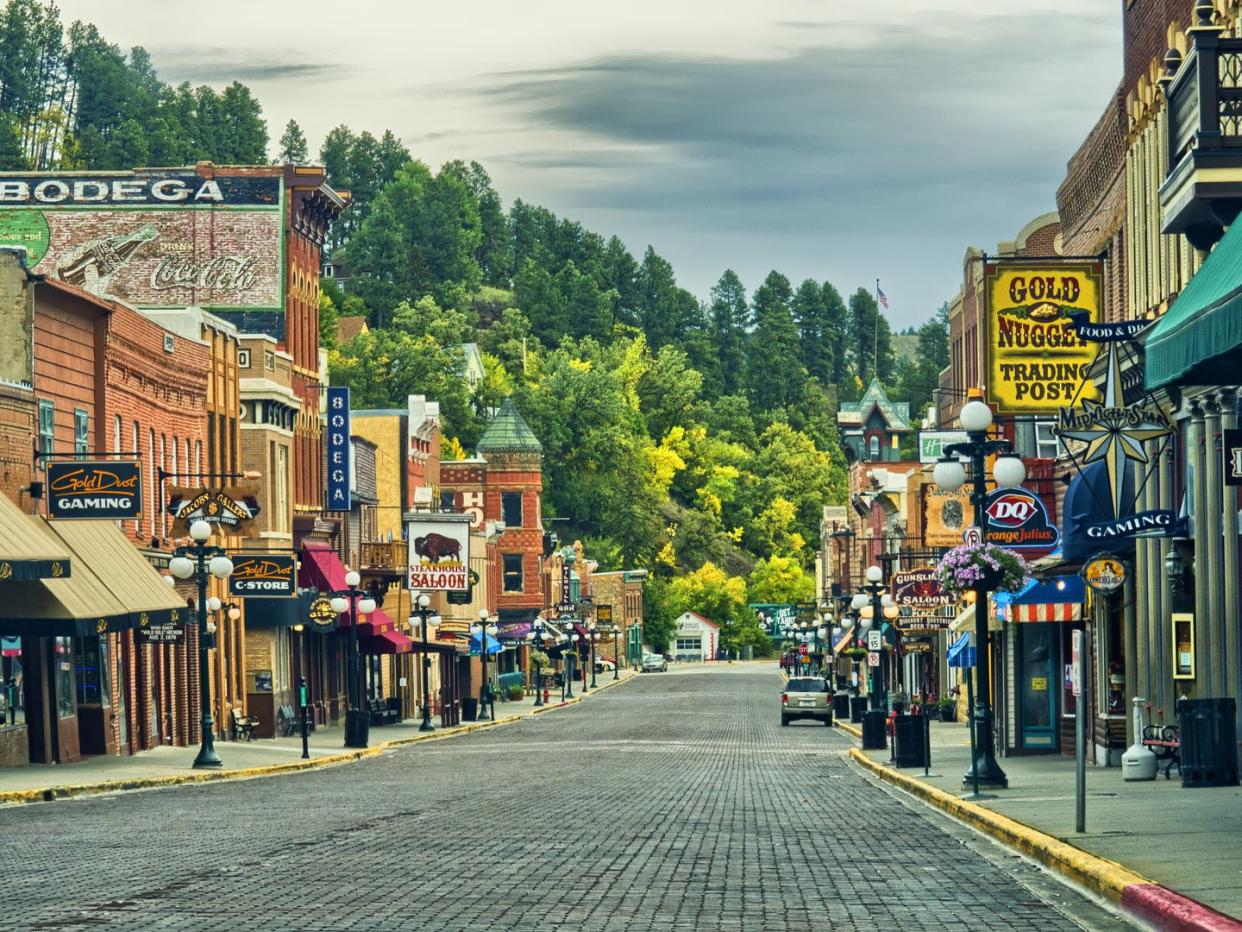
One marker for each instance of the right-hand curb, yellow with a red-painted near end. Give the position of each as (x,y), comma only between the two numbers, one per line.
(1138,897)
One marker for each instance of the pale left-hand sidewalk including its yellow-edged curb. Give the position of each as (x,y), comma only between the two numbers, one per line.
(261,757)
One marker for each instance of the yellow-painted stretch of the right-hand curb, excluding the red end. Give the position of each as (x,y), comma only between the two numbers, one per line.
(1099,874)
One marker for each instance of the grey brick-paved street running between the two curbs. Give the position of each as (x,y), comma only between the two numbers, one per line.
(675,802)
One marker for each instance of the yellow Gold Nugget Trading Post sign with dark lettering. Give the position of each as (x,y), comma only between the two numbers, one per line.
(1036,361)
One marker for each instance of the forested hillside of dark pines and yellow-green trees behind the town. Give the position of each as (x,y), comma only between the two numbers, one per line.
(696,438)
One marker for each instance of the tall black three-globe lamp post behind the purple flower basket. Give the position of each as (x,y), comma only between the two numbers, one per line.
(950,474)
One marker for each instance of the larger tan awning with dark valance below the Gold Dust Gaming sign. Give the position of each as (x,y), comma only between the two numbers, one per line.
(114,588)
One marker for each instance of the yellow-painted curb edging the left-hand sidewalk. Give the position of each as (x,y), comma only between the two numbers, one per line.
(90,790)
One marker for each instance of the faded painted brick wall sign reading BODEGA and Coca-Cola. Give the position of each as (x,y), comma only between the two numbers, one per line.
(152,239)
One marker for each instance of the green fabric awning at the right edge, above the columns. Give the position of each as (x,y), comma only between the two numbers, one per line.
(1199,341)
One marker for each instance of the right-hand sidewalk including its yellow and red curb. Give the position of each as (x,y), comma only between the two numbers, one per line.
(1140,834)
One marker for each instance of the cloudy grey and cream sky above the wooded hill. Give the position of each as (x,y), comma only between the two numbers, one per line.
(836,140)
